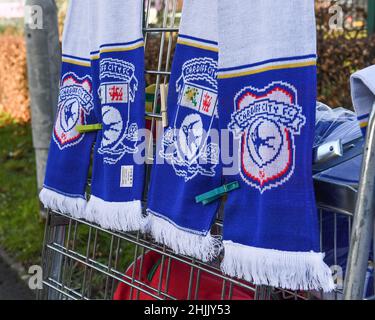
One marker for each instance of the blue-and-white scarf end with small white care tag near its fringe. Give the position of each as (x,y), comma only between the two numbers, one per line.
(117,55)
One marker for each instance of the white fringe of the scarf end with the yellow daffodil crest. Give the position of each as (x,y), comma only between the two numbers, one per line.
(205,248)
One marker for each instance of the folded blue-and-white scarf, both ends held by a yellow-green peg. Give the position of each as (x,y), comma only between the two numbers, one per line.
(102,90)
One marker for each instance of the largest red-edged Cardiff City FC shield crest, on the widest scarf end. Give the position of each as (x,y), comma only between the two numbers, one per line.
(266,122)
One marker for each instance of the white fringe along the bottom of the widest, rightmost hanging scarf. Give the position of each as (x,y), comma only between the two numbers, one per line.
(287,270)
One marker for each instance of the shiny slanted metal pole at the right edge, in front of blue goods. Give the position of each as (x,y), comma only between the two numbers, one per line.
(363,224)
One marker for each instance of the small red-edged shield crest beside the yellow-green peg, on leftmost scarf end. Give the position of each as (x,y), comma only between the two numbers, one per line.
(74,105)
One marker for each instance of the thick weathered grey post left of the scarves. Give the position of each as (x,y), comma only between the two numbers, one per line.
(44,61)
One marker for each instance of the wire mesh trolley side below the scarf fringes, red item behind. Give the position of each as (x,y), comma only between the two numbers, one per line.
(84,261)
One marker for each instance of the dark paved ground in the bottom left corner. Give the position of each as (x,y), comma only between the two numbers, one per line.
(11,287)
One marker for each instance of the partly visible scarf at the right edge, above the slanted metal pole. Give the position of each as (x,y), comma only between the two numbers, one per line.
(363,94)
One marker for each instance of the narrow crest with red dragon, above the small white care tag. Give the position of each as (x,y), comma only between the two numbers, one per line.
(117,93)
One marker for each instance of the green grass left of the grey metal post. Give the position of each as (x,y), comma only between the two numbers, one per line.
(21,228)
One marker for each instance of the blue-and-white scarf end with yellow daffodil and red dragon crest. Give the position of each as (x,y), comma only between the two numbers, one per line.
(187,160)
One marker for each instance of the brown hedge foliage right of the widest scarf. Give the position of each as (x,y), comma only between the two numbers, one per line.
(341,52)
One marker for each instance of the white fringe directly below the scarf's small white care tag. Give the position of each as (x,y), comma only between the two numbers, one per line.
(120,216)
